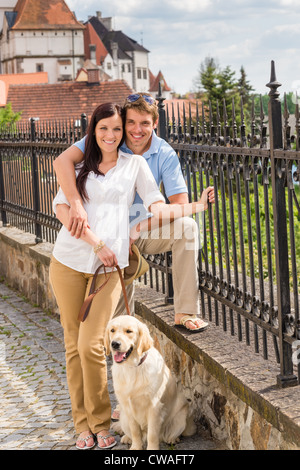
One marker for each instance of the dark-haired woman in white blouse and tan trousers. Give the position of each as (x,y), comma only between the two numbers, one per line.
(107,181)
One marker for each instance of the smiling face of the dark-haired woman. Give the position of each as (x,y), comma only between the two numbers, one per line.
(109,133)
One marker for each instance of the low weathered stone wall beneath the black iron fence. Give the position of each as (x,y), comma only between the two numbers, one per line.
(233,391)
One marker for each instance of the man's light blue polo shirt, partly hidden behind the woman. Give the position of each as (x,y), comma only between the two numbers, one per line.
(164,164)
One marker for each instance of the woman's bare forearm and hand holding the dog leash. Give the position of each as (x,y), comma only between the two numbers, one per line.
(106,256)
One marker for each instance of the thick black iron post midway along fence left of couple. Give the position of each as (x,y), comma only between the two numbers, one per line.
(35,184)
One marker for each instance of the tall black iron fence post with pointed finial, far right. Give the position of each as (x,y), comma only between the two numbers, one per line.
(278,176)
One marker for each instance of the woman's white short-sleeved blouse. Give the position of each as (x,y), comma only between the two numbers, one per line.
(110,198)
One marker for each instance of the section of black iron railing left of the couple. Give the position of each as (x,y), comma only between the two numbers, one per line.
(27,180)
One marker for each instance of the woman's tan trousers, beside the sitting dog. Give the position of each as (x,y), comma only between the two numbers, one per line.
(84,343)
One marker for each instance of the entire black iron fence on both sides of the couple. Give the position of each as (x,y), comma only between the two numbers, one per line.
(249,260)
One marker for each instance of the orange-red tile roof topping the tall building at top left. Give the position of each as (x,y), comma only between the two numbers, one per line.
(44,14)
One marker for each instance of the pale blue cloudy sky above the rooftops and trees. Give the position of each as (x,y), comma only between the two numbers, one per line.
(180,33)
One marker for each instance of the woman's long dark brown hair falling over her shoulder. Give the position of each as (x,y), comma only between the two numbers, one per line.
(92,154)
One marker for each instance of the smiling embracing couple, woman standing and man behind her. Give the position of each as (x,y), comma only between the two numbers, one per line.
(93,207)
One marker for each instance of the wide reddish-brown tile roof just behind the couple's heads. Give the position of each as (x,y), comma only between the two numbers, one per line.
(64,100)
